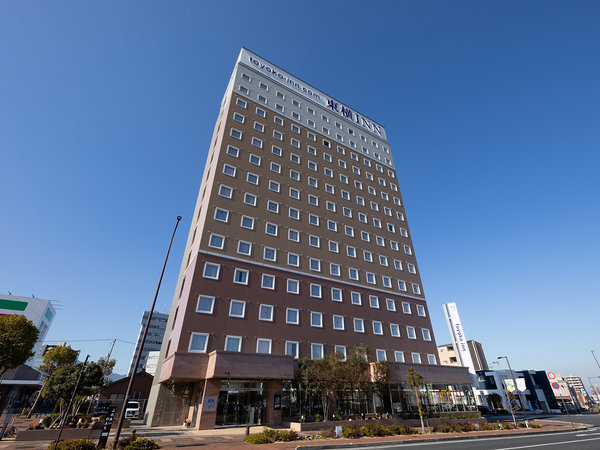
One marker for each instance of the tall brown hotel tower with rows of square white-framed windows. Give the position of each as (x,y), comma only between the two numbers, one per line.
(299,247)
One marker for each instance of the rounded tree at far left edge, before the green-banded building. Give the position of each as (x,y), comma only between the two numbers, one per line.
(17,338)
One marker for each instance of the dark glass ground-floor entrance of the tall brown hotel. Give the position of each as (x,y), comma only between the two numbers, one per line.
(240,402)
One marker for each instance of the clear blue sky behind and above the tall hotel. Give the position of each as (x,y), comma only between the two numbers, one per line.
(491,109)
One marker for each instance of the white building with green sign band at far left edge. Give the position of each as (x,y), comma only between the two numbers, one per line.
(40,312)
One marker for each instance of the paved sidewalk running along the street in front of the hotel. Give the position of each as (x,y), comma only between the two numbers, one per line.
(227,438)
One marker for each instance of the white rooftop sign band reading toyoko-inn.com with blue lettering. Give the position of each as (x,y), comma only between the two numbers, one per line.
(307,91)
